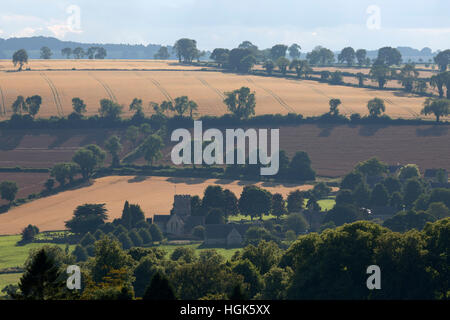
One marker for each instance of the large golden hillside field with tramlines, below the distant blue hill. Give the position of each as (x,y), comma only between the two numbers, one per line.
(156,81)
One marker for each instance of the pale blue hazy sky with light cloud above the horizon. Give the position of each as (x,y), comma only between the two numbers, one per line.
(334,24)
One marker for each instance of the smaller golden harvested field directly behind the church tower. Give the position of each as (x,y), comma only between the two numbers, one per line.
(153,194)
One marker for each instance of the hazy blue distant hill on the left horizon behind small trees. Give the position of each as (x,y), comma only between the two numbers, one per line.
(34,44)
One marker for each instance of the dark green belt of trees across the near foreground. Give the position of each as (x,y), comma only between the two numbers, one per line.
(309,269)
